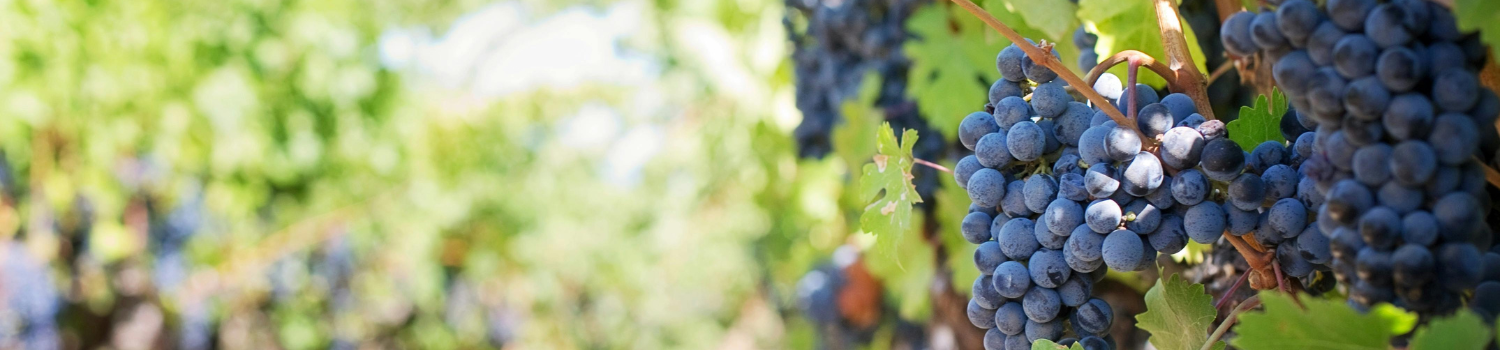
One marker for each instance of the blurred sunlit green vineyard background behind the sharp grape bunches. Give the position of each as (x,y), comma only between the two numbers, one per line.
(475,175)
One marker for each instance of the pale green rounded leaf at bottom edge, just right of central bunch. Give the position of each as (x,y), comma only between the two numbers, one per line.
(1178,315)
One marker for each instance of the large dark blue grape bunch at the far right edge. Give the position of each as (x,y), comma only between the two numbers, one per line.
(1399,116)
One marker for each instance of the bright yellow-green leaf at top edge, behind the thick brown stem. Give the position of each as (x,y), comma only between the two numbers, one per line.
(1133,26)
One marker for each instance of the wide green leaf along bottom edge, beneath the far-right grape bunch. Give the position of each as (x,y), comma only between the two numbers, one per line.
(1322,324)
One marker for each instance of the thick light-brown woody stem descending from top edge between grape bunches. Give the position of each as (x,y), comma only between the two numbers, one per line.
(1180,59)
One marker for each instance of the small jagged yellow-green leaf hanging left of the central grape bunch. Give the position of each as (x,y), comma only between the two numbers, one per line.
(890,173)
